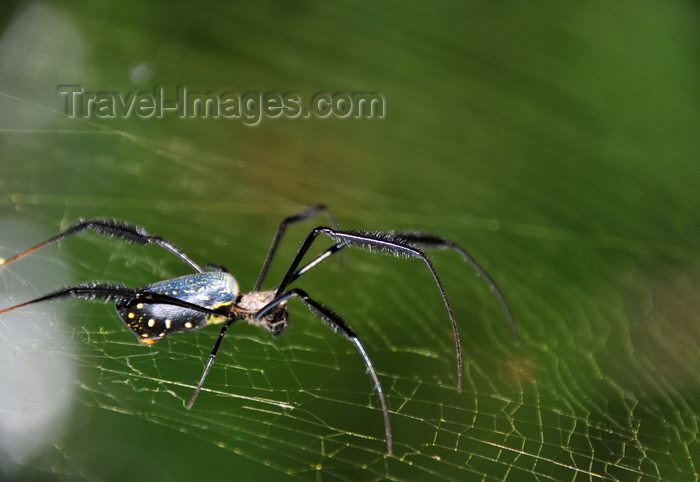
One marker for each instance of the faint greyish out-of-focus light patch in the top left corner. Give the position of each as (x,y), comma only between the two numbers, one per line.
(40,49)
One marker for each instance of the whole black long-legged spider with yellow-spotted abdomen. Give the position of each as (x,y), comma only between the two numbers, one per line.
(211,295)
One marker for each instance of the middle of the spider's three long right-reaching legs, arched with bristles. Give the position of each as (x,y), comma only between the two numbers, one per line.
(385,243)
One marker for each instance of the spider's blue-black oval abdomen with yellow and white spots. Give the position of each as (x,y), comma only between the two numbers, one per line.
(151,322)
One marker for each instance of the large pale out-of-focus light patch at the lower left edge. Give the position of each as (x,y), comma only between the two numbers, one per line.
(36,352)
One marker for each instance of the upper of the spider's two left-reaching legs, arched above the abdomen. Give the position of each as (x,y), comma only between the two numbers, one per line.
(112,228)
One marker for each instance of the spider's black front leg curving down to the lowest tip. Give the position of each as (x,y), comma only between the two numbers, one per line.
(333,320)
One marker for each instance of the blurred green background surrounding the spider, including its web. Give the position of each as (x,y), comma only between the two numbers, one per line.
(558,143)
